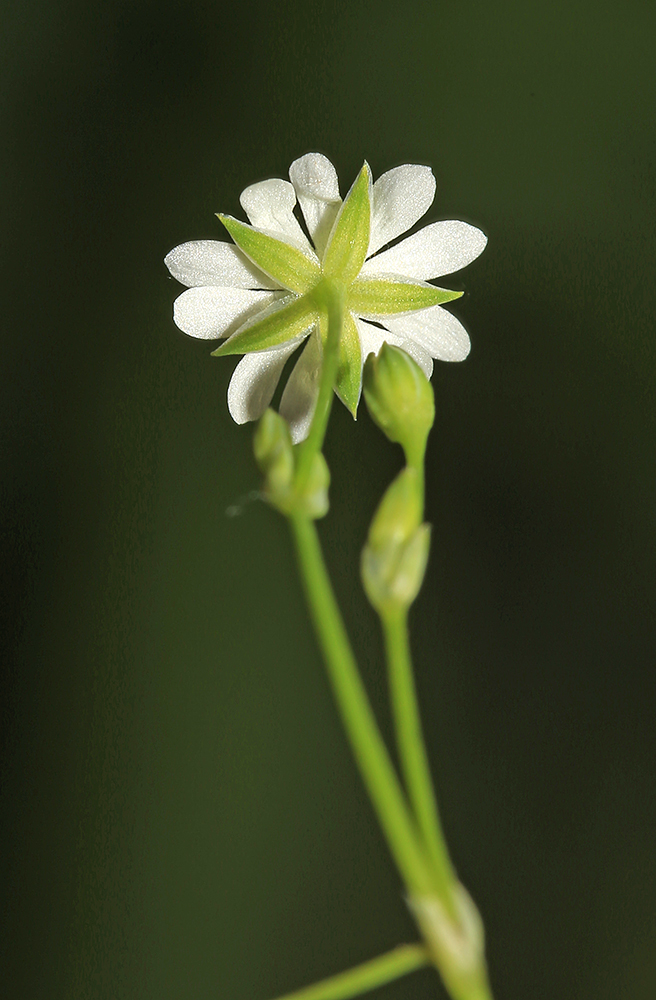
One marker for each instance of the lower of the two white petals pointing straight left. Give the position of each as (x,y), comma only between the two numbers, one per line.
(210,313)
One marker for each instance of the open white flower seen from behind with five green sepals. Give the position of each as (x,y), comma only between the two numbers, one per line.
(258,295)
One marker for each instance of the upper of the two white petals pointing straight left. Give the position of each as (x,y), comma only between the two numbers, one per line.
(210,262)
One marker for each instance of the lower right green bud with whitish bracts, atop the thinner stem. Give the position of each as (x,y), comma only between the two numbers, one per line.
(394,559)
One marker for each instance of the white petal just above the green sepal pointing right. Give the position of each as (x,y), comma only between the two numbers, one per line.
(438,249)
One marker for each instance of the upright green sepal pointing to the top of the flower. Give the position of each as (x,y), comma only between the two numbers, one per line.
(349,239)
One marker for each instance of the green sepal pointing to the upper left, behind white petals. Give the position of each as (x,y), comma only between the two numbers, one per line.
(290,267)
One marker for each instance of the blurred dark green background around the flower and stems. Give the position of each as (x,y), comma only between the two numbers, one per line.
(181,818)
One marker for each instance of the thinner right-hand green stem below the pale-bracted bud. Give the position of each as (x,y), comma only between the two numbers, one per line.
(412,752)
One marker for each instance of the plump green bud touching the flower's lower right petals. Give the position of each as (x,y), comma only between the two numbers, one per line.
(400,400)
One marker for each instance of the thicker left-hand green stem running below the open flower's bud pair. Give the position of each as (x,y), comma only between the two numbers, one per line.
(369,749)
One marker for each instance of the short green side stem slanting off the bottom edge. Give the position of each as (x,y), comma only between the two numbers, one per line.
(379,971)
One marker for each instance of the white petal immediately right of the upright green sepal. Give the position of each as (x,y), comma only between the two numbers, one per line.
(399,199)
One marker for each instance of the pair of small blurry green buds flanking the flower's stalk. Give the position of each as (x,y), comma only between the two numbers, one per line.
(274,453)
